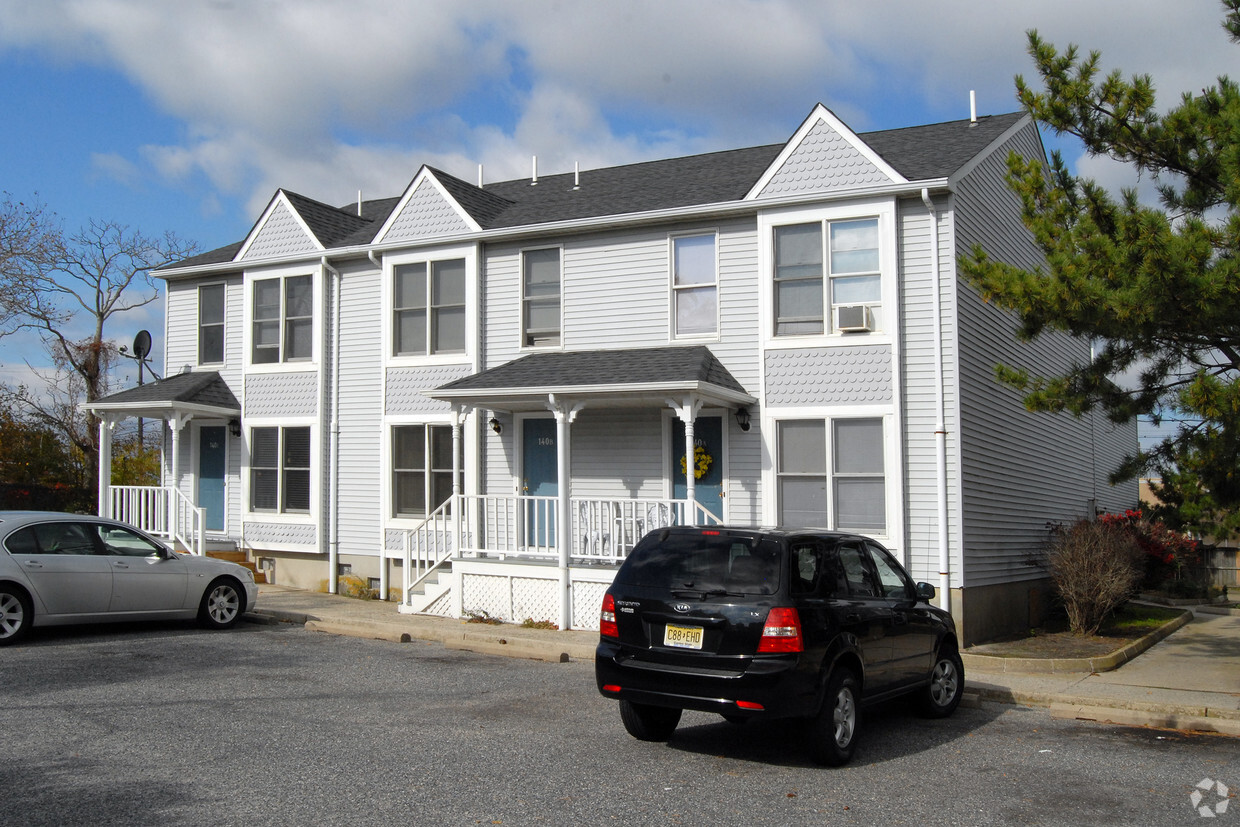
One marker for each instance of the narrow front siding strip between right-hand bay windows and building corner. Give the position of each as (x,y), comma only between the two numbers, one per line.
(919,415)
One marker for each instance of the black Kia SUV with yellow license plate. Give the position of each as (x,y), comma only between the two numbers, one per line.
(772,624)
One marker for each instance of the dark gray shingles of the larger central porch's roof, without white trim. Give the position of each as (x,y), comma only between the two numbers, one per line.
(633,368)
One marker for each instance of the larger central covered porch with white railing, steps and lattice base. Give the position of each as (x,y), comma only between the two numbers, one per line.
(569,536)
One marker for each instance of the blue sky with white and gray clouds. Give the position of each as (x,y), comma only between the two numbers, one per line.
(187,117)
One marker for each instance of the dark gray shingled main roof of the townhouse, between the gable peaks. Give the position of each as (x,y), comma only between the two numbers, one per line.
(917,153)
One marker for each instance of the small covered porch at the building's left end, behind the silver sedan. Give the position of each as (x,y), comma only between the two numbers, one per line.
(168,511)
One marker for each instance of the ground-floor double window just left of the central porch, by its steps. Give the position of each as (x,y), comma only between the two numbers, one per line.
(422,469)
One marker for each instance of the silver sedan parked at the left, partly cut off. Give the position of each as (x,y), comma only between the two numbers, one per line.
(59,570)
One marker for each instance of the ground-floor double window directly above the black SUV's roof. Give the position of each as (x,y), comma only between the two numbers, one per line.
(854,482)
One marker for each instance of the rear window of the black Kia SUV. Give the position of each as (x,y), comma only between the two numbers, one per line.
(706,562)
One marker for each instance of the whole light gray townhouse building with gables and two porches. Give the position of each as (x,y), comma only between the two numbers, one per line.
(480,396)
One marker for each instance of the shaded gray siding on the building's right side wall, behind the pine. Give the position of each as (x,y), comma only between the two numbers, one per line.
(1020,471)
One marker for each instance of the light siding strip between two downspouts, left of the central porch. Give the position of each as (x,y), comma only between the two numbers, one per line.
(361,406)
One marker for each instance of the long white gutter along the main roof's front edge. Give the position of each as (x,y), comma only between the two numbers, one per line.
(725,209)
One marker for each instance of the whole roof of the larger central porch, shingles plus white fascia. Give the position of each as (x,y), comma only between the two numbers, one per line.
(638,378)
